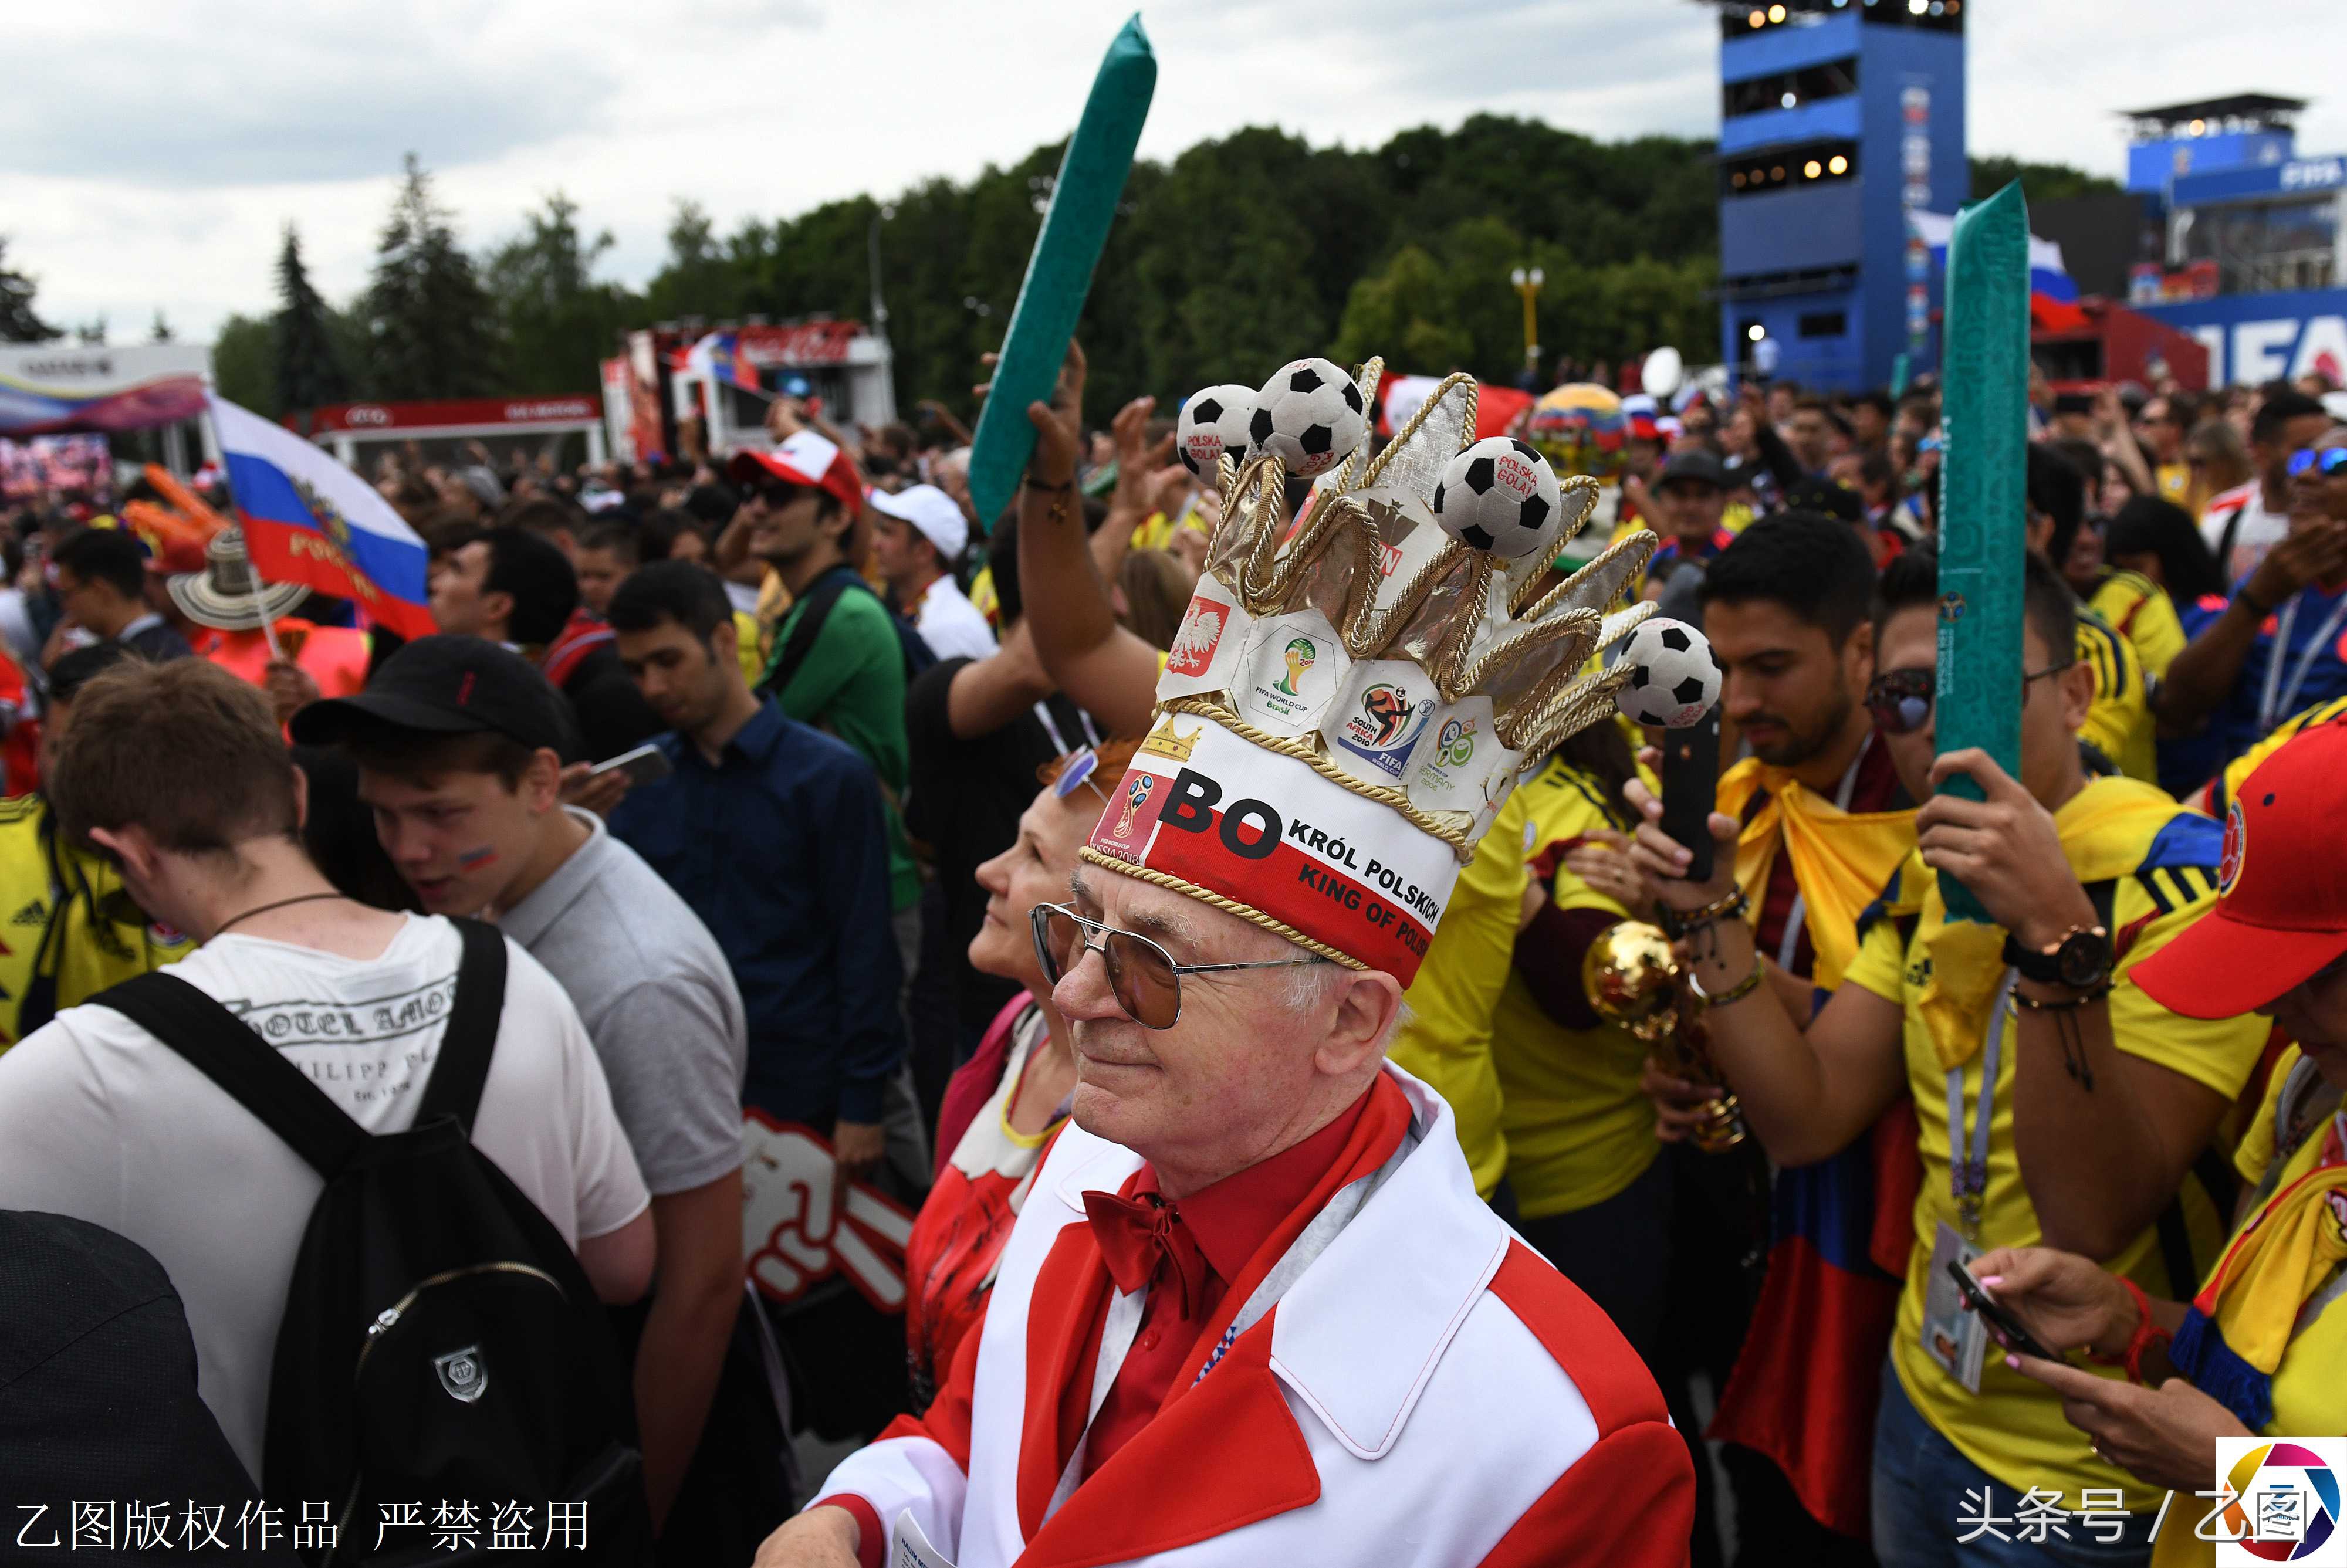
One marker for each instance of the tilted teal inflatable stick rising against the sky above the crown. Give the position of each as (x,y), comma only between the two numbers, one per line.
(1060,273)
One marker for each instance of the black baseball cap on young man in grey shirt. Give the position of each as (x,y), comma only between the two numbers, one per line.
(447,687)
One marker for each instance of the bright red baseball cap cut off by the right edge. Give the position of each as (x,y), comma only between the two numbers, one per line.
(2282,888)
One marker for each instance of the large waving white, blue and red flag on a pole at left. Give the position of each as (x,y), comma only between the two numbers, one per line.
(311,520)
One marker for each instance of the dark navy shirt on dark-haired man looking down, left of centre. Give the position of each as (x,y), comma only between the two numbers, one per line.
(783,851)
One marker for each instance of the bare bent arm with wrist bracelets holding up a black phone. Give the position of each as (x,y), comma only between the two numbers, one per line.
(1806,1095)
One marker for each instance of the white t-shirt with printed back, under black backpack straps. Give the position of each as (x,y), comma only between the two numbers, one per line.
(109,1126)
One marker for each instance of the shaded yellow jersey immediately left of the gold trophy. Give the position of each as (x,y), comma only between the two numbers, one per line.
(1578,1128)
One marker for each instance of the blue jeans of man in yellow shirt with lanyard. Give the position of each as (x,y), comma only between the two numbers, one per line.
(1921,1496)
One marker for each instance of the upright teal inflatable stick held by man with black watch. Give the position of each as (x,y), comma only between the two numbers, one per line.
(1982,522)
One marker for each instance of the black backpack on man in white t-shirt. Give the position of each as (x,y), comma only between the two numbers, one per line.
(442,1346)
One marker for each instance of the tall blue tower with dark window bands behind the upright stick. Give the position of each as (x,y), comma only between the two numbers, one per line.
(1837,121)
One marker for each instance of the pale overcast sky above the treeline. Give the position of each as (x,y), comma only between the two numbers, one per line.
(158,147)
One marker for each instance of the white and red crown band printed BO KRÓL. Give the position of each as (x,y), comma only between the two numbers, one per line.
(1208,809)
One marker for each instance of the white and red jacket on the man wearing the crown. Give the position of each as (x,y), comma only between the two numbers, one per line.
(1428,1393)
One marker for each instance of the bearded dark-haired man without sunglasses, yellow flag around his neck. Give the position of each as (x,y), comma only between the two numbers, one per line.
(1825,825)
